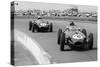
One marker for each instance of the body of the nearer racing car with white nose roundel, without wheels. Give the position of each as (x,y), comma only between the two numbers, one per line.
(75,34)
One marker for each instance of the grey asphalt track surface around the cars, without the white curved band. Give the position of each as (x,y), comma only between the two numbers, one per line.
(48,41)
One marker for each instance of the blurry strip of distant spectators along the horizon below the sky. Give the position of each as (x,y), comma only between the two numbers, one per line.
(68,12)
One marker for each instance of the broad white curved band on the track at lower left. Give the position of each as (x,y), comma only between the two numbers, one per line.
(41,56)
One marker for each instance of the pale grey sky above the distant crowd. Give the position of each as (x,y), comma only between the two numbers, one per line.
(48,6)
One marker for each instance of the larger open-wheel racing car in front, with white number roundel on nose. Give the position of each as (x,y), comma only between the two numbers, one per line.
(75,38)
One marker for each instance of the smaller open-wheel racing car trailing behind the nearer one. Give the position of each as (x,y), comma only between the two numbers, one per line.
(40,25)
